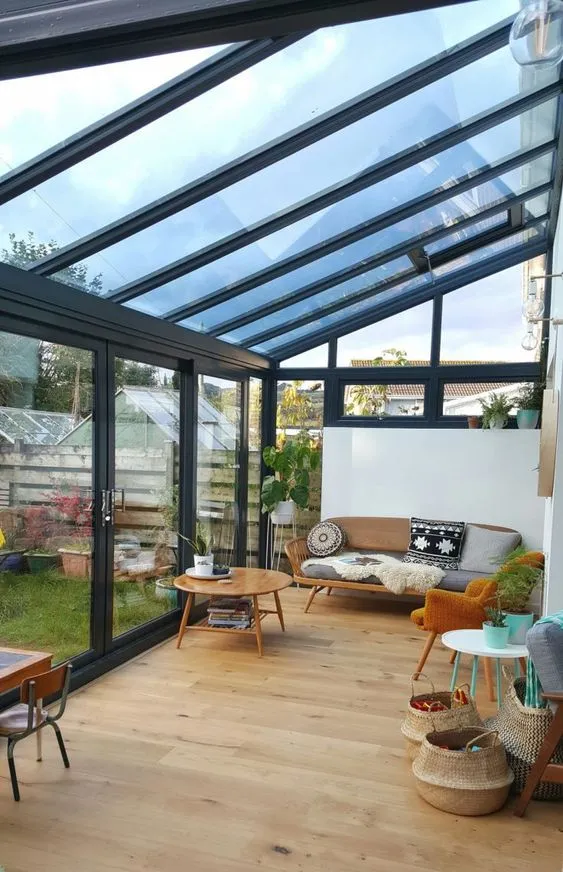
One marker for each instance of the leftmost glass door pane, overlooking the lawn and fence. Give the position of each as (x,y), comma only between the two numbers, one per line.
(46,488)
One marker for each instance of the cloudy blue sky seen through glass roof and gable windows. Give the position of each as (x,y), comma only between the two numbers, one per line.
(301,82)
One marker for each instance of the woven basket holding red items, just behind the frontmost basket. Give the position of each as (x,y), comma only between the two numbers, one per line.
(417,724)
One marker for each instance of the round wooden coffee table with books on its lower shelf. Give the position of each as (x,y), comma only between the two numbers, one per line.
(244,583)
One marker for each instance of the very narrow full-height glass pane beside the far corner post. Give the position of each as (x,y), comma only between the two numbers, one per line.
(254,468)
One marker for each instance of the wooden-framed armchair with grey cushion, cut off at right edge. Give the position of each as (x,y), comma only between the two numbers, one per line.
(545,644)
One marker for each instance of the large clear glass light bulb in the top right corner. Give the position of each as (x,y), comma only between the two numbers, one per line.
(536,36)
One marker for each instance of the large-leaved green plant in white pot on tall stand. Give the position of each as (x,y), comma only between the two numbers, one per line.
(291,462)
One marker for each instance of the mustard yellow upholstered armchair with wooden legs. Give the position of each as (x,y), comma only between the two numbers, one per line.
(445,610)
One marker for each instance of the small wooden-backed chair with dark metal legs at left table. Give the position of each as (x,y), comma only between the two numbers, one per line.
(28,717)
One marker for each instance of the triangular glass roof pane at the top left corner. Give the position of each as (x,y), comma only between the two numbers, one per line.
(40,111)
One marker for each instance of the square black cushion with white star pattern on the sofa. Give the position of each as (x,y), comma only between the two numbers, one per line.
(435,543)
